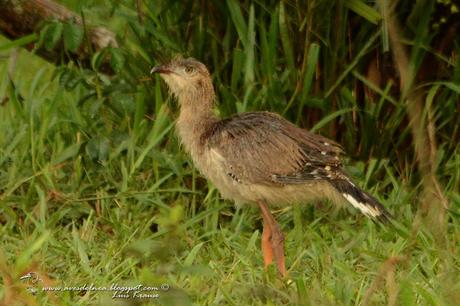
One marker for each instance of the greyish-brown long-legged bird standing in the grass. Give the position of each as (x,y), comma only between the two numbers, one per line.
(259,158)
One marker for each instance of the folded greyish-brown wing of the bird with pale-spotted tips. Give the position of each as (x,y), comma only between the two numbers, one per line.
(264,148)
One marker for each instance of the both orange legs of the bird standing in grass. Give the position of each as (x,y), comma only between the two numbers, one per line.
(272,240)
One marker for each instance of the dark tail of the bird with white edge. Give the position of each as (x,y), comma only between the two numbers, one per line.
(361,200)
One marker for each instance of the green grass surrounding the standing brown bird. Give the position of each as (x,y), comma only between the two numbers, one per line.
(94,188)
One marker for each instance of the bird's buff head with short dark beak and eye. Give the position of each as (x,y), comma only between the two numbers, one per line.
(186,78)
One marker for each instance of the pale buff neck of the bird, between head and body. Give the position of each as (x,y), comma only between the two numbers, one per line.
(196,117)
